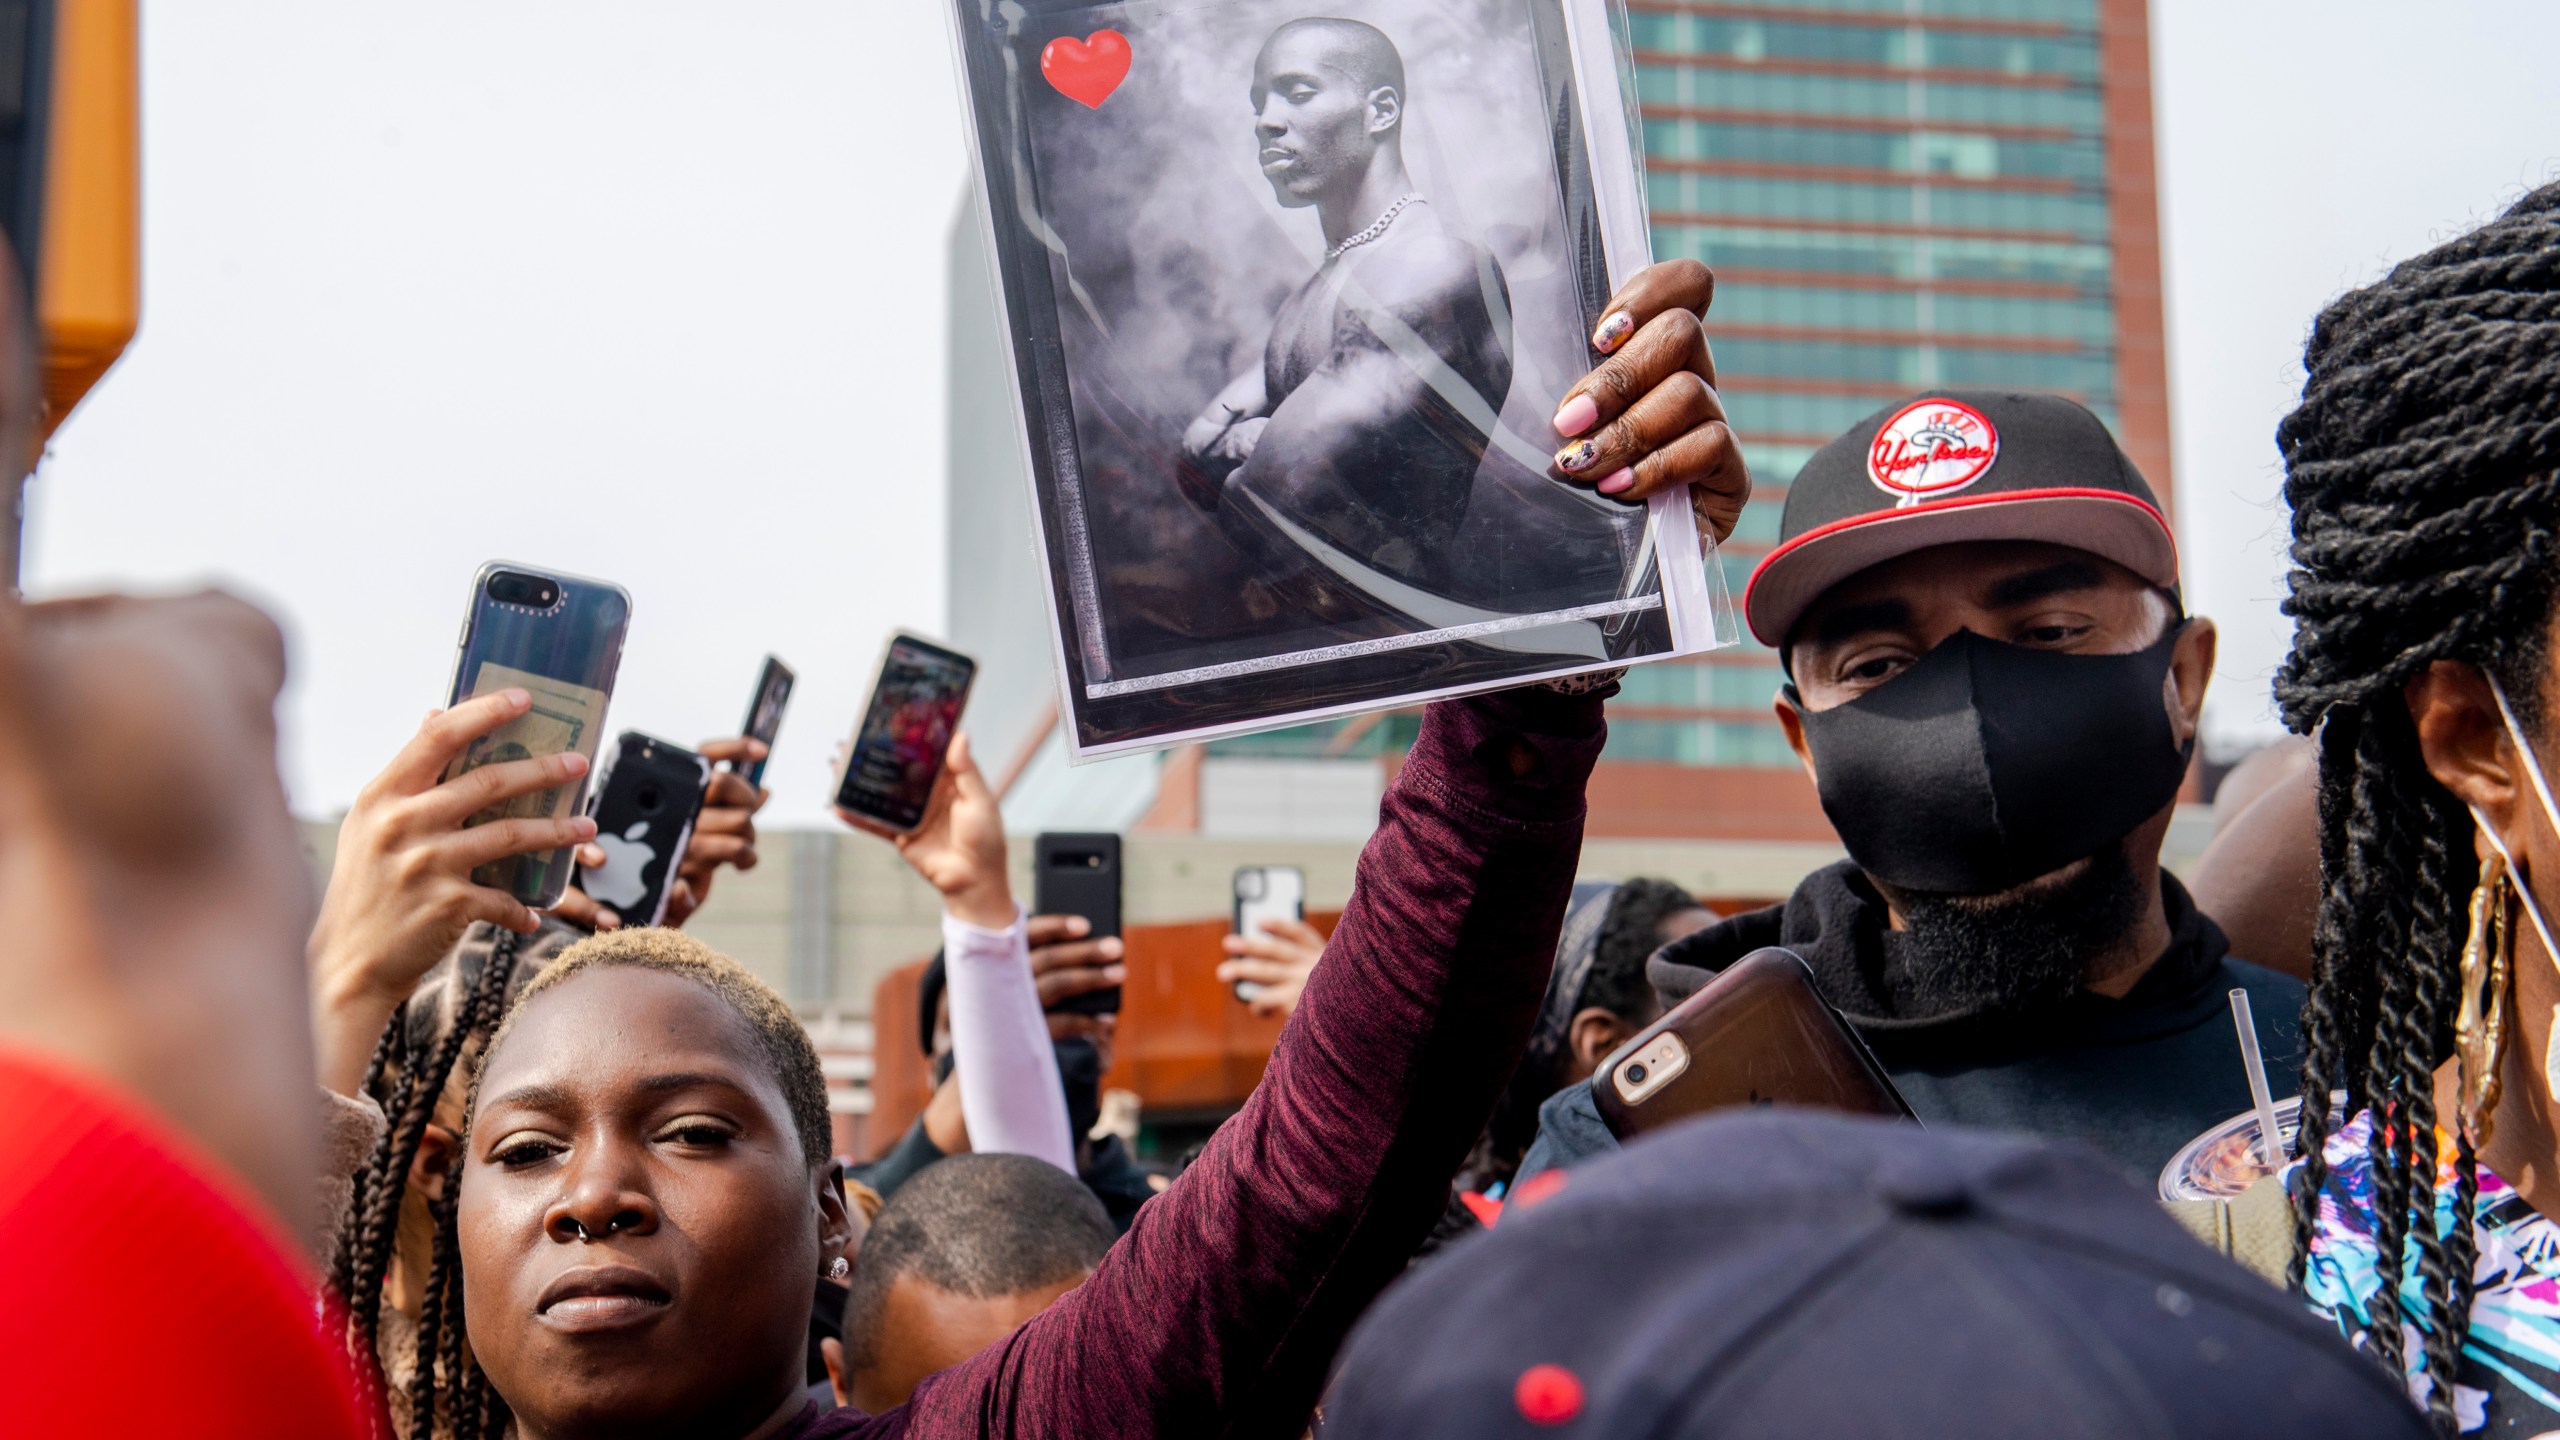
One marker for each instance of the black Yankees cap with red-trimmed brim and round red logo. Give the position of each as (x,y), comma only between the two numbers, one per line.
(1957,465)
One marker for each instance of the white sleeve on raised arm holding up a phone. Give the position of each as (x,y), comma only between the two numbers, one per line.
(1010,1093)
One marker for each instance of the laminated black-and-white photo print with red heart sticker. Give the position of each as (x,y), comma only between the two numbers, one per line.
(1294,291)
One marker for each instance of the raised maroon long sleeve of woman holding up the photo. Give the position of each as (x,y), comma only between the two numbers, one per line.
(1225,1303)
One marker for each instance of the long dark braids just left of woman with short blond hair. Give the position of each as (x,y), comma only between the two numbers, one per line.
(411,1072)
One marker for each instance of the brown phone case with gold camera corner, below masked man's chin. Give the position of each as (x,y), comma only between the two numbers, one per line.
(1757,1034)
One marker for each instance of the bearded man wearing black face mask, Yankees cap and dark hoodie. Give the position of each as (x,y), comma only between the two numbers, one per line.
(1996,691)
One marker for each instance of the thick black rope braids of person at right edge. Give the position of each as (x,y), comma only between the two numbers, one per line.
(2423,470)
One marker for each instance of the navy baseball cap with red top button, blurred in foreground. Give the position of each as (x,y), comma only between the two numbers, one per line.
(1791,1275)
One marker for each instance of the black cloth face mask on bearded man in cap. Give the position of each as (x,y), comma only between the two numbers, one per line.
(1990,765)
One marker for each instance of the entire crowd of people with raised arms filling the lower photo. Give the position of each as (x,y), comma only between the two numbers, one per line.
(403,1157)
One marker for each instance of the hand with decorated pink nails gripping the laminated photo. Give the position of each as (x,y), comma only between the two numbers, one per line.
(1650,416)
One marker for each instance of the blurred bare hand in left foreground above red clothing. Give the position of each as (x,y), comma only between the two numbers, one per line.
(152,883)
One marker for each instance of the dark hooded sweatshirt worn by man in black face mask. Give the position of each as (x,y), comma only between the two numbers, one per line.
(2134,1077)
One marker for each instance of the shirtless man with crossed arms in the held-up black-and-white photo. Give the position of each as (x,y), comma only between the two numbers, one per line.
(1368,416)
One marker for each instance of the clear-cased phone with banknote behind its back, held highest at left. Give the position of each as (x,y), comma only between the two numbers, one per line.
(567,657)
